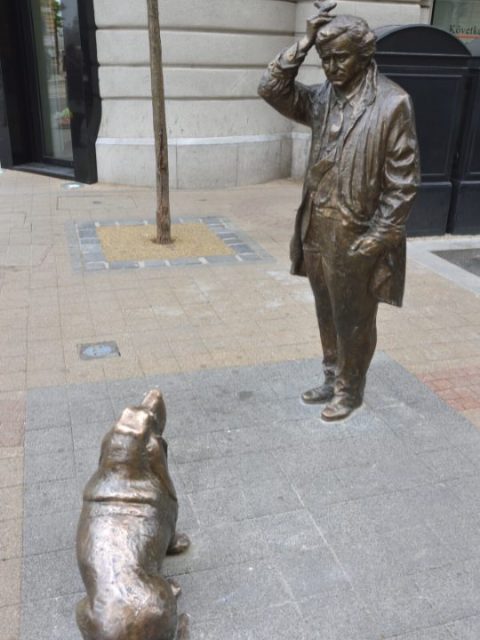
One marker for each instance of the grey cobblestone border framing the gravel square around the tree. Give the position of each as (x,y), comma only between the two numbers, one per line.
(87,254)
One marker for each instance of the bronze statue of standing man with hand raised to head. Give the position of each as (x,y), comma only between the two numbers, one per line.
(362,175)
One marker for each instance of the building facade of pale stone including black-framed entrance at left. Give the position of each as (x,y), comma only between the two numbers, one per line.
(75,86)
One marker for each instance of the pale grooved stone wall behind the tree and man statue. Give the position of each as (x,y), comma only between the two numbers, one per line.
(220,133)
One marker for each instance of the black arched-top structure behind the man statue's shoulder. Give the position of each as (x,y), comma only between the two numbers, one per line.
(441,72)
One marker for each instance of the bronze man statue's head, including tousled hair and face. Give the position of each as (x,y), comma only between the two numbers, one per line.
(346,46)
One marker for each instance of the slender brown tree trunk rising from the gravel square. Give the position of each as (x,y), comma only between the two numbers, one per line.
(159,126)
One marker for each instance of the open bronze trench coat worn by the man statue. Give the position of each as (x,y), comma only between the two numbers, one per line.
(379,164)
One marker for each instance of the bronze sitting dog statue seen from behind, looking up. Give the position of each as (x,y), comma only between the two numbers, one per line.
(126,527)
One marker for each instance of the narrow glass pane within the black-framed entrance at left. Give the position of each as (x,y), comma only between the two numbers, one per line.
(55,116)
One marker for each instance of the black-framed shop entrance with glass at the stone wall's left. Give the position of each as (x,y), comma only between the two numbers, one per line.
(49,99)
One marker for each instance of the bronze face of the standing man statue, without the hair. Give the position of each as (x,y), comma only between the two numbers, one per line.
(341,62)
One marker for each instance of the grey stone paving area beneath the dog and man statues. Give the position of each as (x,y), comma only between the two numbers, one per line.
(300,529)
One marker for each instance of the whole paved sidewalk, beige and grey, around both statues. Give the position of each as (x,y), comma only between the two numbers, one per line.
(300,529)
